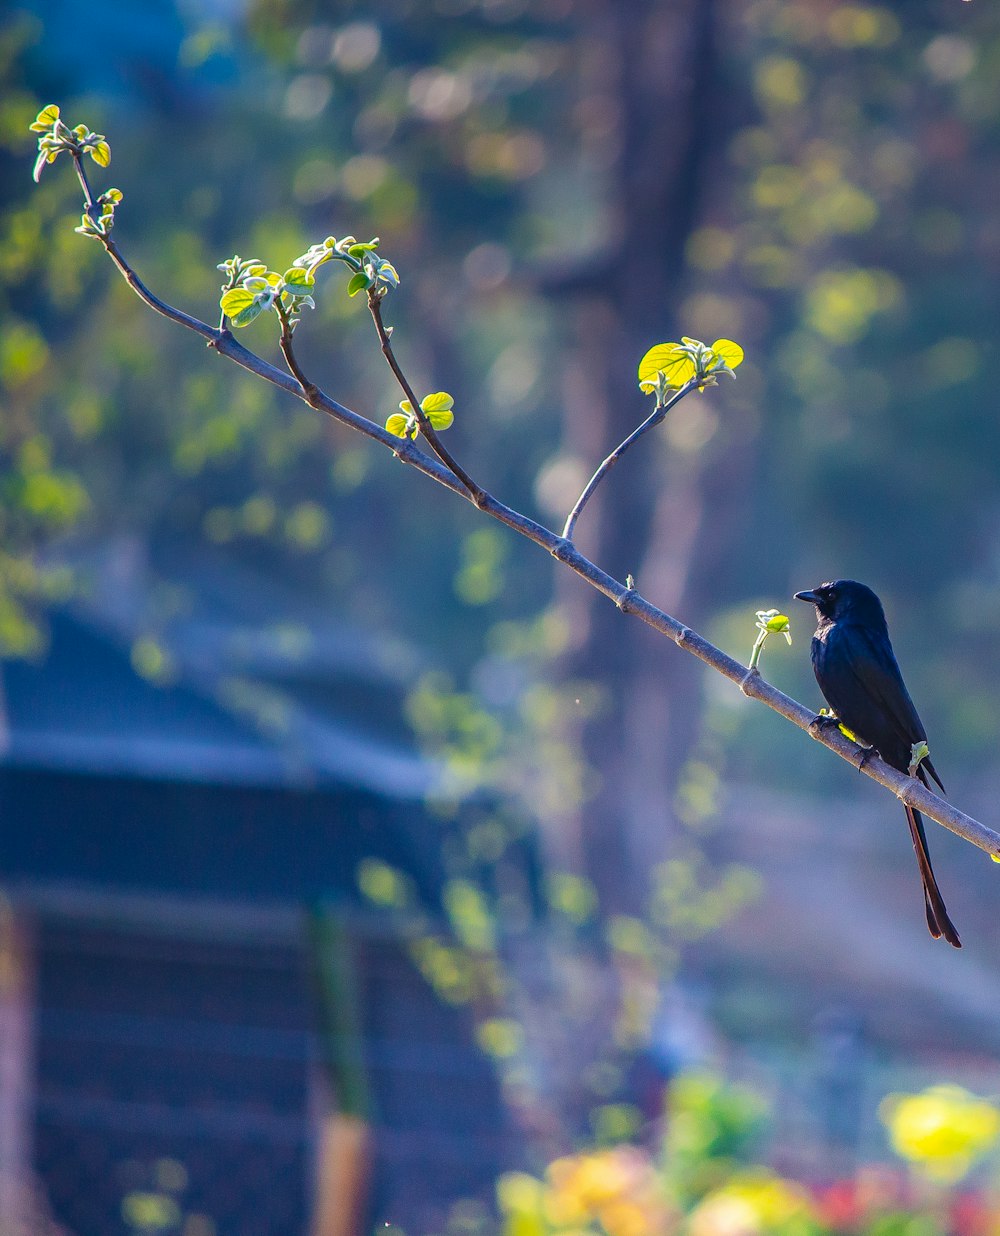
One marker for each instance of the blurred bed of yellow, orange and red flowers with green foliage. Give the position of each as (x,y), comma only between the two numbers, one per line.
(706,1181)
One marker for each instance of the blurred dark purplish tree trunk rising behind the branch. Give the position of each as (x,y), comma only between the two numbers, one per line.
(656,70)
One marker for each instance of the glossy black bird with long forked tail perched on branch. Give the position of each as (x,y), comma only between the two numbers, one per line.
(861,680)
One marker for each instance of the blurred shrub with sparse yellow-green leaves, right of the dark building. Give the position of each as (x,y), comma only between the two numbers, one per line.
(578,1071)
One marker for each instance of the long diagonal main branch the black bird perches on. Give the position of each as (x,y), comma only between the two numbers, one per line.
(751,683)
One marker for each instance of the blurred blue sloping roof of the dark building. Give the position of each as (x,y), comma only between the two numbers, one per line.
(245,687)
